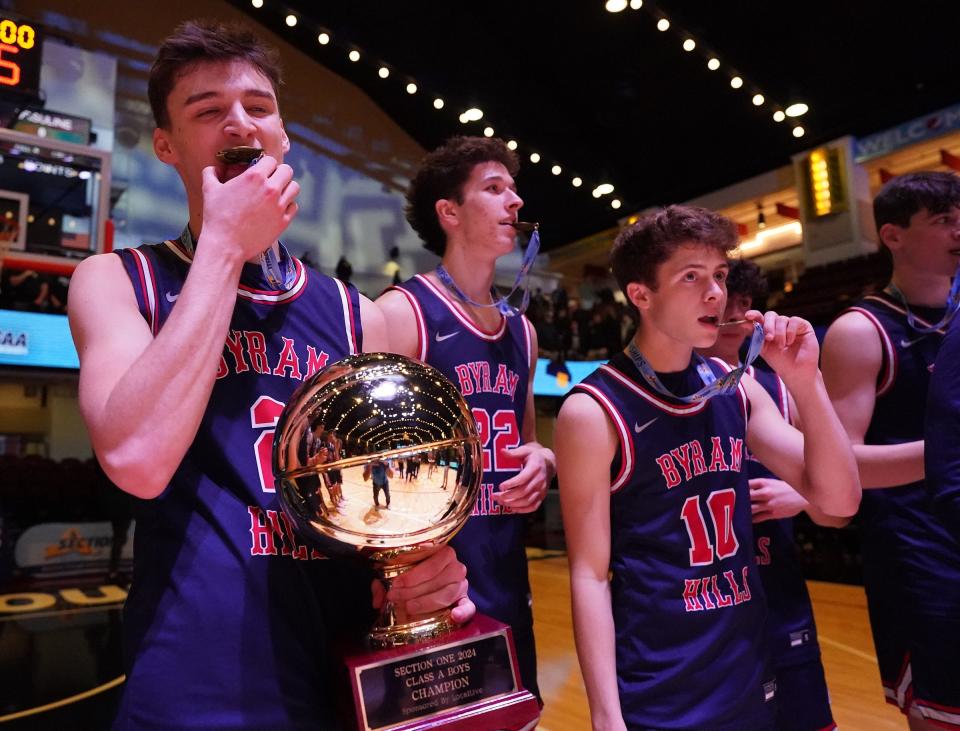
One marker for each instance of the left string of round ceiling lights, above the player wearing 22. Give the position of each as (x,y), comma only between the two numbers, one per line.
(472,115)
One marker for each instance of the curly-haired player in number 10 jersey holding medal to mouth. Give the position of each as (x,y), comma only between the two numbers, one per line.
(662,502)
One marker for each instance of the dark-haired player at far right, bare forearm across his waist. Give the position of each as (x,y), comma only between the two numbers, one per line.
(877,359)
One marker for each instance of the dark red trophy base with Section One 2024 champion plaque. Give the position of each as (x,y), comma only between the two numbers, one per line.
(465,680)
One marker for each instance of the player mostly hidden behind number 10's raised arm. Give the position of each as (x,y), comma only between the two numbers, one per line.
(803,703)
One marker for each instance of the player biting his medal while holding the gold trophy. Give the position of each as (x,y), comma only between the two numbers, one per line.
(188,352)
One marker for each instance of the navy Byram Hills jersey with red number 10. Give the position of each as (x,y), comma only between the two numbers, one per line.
(686,598)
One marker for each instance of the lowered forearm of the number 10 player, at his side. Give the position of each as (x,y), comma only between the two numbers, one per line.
(596,648)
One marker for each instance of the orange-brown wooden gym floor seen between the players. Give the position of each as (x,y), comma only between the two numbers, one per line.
(845,641)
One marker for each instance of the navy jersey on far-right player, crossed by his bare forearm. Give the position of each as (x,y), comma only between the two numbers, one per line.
(909,557)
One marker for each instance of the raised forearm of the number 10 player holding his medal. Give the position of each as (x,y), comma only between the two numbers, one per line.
(831,480)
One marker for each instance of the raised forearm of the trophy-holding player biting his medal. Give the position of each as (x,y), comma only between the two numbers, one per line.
(153,412)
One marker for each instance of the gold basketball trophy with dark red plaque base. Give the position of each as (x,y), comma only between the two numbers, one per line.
(378,457)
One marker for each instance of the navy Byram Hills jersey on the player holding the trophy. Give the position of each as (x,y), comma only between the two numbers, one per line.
(226,621)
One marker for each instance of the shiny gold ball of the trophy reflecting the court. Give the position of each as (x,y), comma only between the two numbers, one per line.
(377,455)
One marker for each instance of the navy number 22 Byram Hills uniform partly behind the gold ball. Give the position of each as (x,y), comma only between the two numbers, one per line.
(492,371)
